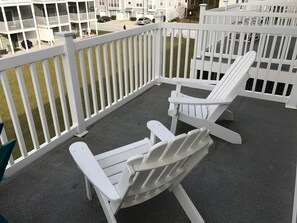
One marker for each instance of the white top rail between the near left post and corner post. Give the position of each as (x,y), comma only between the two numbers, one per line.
(114,36)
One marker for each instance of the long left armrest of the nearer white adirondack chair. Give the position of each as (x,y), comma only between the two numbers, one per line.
(92,170)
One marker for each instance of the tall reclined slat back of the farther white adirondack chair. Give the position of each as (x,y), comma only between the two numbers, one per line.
(231,84)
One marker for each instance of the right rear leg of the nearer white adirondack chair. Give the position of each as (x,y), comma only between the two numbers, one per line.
(187,205)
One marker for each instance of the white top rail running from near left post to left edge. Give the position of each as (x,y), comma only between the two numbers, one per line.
(30,57)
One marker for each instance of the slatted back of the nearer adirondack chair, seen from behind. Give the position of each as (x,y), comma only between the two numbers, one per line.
(166,164)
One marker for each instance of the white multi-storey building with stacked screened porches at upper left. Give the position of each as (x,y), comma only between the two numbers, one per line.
(25,23)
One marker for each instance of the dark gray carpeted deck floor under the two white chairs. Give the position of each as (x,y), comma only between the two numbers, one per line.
(248,183)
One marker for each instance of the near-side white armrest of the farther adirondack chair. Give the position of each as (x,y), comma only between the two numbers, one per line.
(198,101)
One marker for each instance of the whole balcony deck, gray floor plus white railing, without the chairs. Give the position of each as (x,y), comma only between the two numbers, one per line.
(108,85)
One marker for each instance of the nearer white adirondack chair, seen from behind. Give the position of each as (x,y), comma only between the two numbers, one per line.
(137,172)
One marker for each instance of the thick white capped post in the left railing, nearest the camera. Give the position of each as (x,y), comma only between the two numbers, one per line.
(72,82)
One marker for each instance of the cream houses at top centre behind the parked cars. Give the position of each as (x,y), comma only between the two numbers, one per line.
(124,9)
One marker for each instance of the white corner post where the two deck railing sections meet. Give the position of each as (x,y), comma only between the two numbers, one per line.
(158,49)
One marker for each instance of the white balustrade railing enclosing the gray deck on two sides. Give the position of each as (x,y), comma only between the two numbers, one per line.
(103,73)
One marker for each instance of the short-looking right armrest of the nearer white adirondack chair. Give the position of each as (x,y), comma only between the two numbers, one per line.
(159,130)
